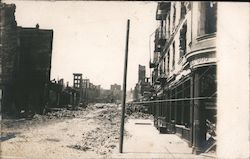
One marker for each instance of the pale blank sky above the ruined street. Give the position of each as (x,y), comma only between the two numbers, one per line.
(89,37)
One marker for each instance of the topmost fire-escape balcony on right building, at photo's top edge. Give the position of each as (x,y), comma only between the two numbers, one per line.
(163,9)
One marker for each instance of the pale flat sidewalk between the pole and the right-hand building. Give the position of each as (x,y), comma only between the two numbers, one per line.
(146,142)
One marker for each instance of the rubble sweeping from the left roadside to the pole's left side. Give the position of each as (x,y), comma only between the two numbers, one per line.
(102,138)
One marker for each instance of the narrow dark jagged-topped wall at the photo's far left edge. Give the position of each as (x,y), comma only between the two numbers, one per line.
(8,55)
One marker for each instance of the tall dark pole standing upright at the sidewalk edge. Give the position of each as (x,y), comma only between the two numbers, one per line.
(124,91)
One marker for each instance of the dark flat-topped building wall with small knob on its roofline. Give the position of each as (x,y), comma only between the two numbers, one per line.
(34,68)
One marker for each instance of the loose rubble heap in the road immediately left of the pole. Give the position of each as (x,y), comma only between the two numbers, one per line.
(104,138)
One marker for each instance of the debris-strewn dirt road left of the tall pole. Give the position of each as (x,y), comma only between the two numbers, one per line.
(90,133)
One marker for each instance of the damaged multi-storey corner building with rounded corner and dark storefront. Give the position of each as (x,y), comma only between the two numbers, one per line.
(184,71)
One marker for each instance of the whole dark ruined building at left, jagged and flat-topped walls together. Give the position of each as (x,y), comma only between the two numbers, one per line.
(25,64)
